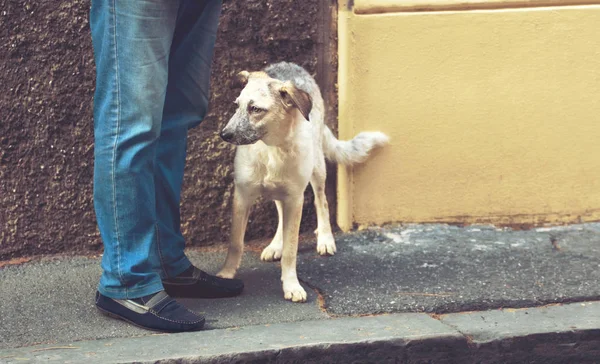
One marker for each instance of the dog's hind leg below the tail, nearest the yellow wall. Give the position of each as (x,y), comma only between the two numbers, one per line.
(325,240)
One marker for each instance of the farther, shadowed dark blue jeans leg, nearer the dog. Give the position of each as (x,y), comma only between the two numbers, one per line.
(186,106)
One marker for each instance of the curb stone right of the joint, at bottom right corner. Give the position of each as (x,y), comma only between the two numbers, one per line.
(552,334)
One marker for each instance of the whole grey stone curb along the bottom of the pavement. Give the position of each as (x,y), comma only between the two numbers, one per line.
(549,334)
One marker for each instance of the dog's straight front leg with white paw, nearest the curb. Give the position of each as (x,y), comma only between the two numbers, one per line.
(292,214)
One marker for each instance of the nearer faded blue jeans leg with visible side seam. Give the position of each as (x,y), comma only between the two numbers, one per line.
(132,42)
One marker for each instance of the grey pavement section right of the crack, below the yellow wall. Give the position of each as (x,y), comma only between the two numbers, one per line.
(441,268)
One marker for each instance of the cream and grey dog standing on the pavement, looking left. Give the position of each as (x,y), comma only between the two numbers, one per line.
(282,143)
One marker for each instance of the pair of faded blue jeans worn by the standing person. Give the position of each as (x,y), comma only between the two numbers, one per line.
(153,61)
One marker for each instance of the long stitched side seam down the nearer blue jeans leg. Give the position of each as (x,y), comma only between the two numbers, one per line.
(118,127)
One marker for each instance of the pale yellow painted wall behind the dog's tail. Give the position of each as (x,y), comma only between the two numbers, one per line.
(494,115)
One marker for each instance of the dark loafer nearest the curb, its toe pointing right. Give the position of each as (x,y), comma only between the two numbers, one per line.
(157,312)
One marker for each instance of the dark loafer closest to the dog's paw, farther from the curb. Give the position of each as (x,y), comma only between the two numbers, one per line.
(194,283)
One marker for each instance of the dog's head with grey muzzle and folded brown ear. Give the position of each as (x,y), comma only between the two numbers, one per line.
(267,109)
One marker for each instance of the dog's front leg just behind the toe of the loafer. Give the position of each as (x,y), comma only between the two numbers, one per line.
(241,209)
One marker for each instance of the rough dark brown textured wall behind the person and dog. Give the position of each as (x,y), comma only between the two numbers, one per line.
(46,141)
